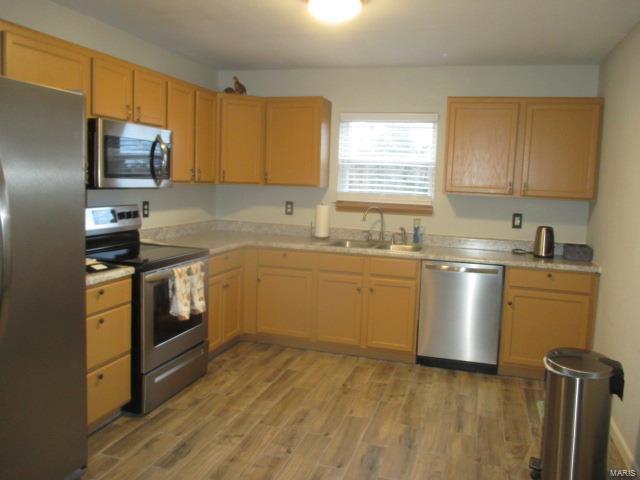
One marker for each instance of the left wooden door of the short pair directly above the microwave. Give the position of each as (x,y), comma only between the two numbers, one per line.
(112,89)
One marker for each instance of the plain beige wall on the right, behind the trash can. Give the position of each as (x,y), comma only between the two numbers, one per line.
(614,229)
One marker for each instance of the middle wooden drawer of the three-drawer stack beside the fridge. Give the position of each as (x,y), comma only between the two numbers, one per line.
(108,335)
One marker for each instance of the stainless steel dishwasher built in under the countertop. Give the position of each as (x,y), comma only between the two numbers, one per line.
(460,314)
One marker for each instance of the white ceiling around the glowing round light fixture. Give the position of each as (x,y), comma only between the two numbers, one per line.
(280,33)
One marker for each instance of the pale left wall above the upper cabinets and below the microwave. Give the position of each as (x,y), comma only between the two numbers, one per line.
(170,206)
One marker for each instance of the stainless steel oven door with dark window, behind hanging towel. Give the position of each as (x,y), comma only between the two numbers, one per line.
(164,336)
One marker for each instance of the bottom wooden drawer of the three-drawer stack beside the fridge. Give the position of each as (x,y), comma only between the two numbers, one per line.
(108,388)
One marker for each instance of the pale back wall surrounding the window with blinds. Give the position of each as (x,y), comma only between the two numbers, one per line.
(414,90)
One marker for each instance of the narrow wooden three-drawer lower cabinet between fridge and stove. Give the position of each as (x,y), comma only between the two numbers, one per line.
(108,350)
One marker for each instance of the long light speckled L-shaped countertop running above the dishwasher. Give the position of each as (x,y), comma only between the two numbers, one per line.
(222,241)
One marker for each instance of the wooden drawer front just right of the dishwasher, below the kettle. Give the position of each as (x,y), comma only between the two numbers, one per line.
(550,280)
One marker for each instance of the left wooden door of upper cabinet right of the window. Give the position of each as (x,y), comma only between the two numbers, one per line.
(481,147)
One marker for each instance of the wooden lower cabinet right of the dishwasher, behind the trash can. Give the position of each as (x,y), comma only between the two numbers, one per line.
(542,314)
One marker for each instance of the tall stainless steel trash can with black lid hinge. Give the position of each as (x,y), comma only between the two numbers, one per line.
(577,411)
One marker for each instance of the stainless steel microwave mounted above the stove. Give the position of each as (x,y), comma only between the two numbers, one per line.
(128,155)
